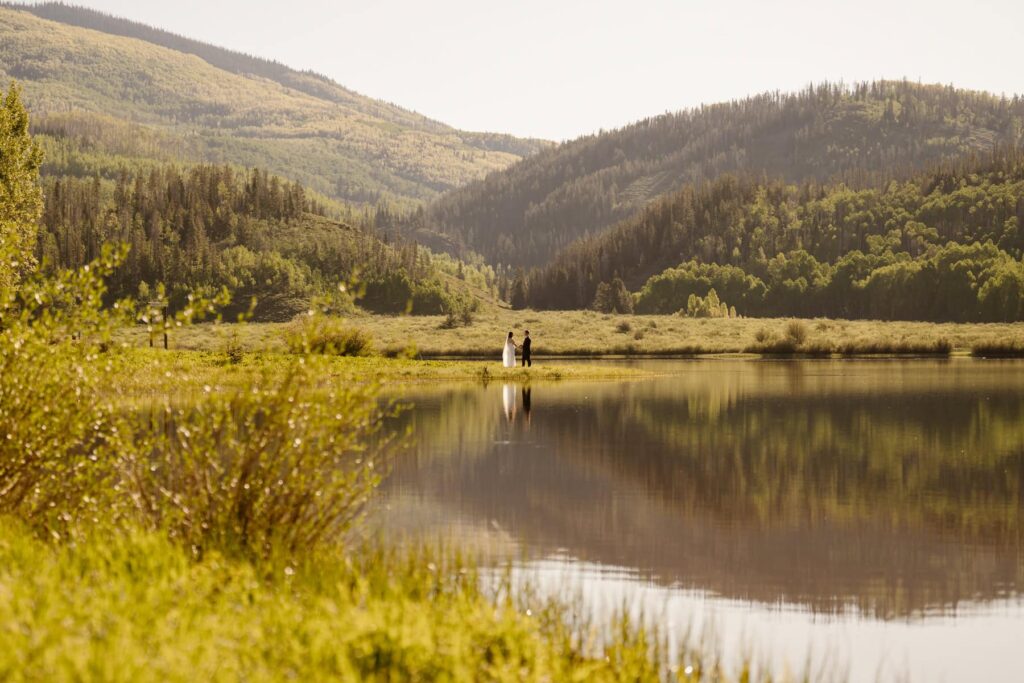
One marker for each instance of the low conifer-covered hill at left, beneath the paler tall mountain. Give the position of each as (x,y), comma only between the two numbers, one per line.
(261,237)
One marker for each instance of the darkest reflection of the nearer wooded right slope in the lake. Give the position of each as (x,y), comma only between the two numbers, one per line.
(954,461)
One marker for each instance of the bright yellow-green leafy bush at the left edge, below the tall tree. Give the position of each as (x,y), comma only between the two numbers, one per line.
(57,460)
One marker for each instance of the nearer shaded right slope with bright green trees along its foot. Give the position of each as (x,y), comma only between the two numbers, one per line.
(945,245)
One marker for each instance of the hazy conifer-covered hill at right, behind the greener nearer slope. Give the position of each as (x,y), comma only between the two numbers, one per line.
(525,215)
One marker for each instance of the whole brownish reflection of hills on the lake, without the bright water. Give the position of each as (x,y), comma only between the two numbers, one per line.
(890,490)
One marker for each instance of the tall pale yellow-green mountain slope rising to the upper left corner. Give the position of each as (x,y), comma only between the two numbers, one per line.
(104,86)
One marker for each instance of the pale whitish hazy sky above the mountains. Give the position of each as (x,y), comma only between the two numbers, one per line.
(559,69)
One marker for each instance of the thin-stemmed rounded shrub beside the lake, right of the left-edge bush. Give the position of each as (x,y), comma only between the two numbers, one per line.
(274,468)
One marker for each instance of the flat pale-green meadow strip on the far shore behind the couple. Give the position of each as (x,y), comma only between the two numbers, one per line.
(592,334)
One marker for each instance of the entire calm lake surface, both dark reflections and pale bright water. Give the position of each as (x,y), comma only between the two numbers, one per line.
(869,513)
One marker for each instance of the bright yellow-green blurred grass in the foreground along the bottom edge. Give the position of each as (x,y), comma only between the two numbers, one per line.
(134,607)
